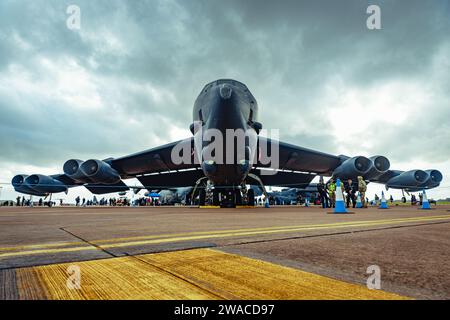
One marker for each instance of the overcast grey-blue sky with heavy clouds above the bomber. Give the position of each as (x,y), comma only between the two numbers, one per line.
(127,79)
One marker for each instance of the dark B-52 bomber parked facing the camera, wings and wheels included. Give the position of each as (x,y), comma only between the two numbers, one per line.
(227,152)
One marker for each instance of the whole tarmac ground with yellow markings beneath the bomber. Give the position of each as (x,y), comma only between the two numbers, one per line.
(327,252)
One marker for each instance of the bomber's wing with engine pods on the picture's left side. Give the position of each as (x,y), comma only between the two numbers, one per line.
(153,167)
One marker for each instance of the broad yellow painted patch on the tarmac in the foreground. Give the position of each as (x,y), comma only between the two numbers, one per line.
(190,274)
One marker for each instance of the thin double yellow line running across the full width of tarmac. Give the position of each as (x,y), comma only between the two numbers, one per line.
(167,238)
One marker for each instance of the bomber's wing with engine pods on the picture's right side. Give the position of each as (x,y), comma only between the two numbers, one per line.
(297,166)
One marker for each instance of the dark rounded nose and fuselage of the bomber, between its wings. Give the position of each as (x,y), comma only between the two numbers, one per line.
(224,116)
